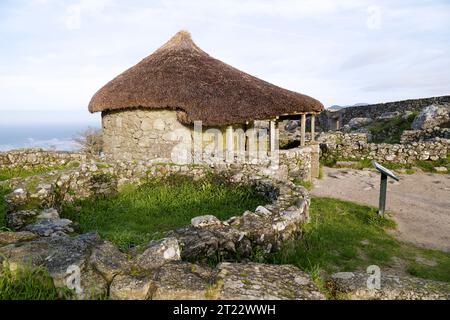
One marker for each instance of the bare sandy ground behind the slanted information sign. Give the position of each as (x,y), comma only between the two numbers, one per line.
(420,203)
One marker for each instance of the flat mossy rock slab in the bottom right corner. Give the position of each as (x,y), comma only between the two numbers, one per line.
(391,287)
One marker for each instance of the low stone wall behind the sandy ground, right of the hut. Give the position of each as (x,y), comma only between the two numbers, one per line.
(337,145)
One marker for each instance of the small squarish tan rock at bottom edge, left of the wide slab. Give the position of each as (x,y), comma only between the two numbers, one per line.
(127,287)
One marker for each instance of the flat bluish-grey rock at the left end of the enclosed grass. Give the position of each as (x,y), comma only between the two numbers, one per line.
(52,227)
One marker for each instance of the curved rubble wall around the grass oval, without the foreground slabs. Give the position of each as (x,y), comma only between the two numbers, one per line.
(288,209)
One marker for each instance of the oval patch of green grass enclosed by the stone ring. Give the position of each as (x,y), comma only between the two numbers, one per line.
(140,214)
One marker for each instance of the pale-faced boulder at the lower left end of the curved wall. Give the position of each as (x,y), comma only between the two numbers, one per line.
(159,253)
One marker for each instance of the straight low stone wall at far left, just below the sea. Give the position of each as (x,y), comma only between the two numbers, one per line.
(38,157)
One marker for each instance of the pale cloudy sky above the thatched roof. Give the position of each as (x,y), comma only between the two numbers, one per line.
(56,54)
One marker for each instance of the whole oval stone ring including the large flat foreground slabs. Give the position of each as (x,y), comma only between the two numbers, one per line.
(33,213)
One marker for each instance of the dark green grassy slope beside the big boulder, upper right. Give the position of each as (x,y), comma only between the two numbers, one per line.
(390,131)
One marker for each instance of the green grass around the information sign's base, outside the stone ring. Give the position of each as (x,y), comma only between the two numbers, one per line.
(345,236)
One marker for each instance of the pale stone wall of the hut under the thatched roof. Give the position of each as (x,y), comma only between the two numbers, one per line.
(141,134)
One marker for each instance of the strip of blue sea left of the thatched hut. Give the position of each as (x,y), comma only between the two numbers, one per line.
(46,136)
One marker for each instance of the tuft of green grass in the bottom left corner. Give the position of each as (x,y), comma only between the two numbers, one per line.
(28,284)
